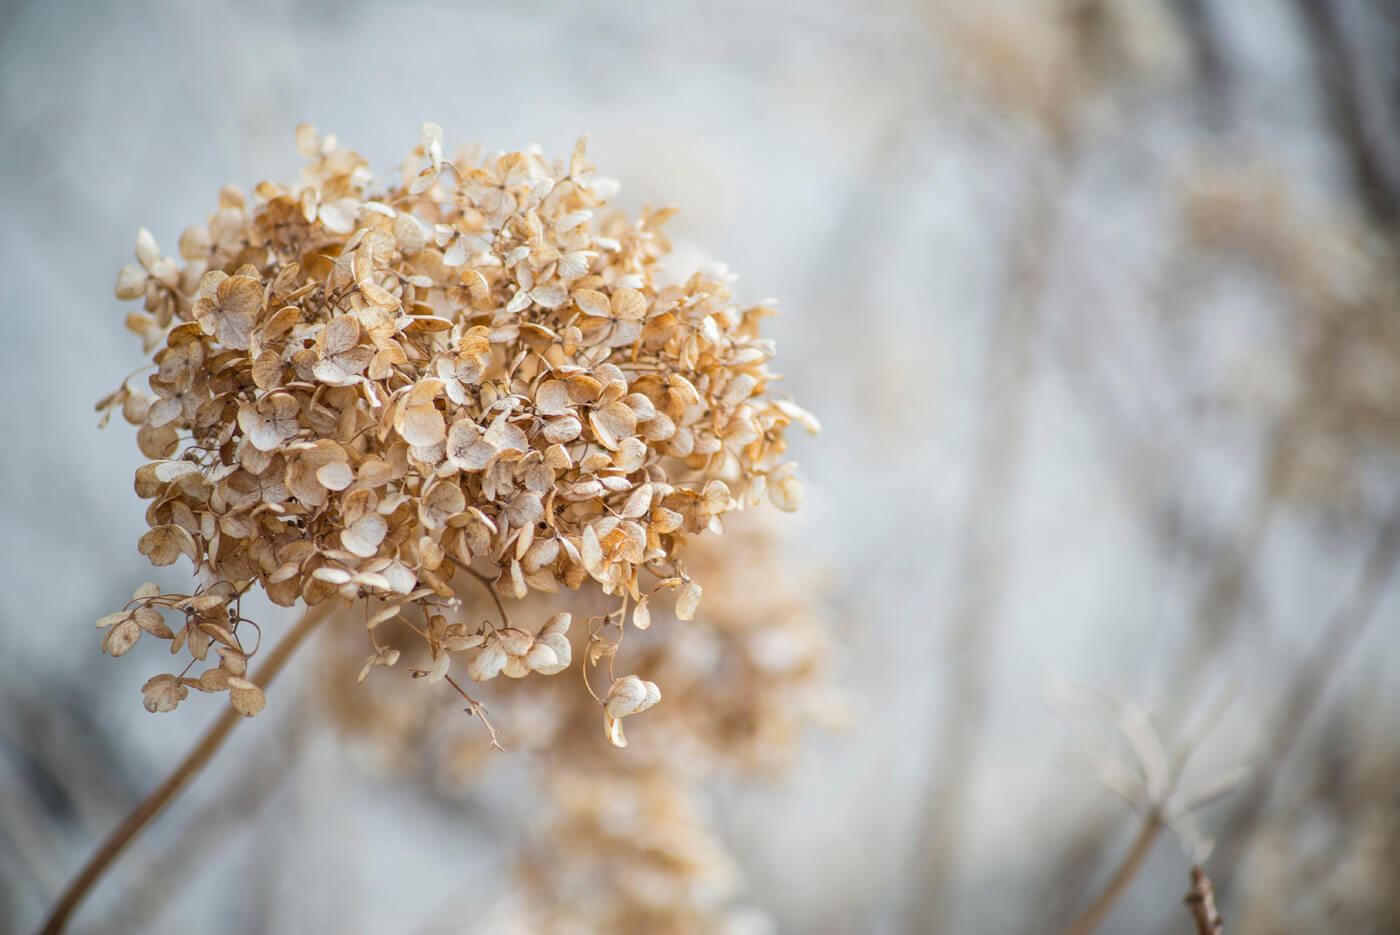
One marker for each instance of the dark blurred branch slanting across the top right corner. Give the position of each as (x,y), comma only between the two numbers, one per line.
(1356,103)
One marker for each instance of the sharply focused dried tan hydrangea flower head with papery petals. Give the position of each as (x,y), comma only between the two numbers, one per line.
(474,374)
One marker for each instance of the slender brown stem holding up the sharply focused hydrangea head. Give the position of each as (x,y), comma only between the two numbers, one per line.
(152,806)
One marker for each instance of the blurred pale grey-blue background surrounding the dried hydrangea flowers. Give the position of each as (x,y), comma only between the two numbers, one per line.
(1097,302)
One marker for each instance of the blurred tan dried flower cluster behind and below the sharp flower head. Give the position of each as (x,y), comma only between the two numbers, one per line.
(626,843)
